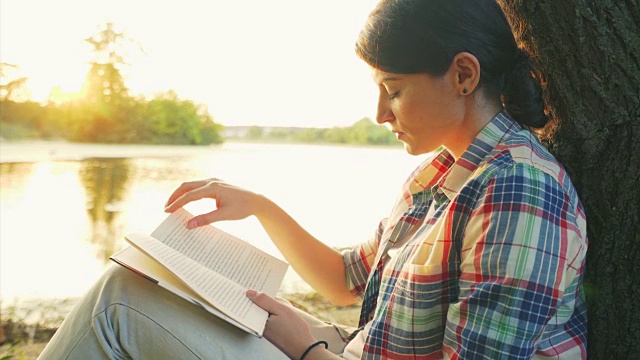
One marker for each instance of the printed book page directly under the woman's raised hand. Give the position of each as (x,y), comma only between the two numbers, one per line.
(223,253)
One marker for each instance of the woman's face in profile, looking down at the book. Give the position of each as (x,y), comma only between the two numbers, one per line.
(422,110)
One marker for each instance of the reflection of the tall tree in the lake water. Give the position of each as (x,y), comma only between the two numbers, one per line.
(106,182)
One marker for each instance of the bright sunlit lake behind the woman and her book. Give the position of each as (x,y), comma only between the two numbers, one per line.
(65,208)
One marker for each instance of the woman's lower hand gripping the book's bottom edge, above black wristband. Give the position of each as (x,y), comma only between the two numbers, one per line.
(285,329)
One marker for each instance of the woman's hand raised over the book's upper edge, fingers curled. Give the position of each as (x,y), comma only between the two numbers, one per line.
(232,202)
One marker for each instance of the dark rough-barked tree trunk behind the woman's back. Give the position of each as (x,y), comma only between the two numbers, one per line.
(589,51)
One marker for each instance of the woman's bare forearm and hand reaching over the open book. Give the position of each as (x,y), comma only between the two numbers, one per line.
(318,264)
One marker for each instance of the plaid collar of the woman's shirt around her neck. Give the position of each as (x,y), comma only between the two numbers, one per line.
(441,173)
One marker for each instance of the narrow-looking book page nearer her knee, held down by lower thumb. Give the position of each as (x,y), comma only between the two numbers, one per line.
(223,294)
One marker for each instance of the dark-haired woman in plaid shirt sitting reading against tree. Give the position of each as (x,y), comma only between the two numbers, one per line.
(482,255)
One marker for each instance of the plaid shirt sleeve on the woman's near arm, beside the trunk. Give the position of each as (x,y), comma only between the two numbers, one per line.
(518,253)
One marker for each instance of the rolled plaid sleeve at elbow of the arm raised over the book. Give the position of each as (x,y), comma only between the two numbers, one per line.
(359,260)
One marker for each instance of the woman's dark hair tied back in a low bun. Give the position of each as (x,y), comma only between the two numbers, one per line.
(423,36)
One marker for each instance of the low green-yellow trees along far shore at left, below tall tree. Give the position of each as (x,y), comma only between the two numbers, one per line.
(165,119)
